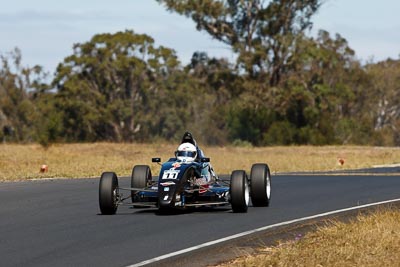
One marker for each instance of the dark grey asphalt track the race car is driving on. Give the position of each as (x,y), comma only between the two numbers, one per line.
(57,222)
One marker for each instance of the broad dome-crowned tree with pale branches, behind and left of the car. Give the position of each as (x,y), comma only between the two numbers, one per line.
(107,88)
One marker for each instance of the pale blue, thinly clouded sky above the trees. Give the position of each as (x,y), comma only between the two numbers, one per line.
(45,30)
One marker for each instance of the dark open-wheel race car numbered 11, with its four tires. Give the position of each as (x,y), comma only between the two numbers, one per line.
(182,185)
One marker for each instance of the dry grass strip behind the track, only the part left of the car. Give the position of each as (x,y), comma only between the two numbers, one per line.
(19,162)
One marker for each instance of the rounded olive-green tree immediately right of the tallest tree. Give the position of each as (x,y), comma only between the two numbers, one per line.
(321,90)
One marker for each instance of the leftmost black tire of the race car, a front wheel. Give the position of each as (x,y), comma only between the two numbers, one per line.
(108,193)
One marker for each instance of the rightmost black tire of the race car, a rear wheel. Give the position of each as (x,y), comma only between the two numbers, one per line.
(260,182)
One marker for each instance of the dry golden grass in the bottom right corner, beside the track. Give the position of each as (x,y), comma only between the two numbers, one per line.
(372,240)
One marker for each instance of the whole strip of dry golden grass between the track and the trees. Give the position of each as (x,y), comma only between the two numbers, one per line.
(19,162)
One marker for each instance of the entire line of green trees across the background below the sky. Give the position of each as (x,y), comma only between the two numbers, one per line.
(285,86)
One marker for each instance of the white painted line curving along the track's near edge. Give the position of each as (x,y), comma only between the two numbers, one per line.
(207,244)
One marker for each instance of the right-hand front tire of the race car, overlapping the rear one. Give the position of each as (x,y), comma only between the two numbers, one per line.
(239,191)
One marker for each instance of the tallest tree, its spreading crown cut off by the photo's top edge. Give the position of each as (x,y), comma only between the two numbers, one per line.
(266,35)
